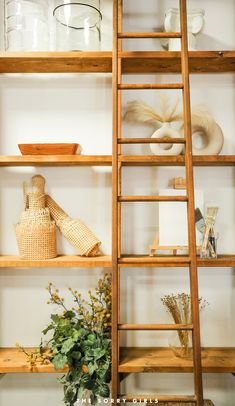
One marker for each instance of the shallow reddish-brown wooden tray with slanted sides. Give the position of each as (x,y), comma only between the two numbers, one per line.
(48,149)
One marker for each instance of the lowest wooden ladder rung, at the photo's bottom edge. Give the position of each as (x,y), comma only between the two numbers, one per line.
(161,398)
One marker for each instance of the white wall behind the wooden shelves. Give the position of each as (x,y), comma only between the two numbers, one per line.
(59,108)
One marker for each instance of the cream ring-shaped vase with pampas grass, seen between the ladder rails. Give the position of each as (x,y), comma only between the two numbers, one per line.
(166,149)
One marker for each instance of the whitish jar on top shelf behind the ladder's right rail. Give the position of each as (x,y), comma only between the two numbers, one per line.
(172,24)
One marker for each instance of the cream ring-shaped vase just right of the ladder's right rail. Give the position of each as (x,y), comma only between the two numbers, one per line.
(214,140)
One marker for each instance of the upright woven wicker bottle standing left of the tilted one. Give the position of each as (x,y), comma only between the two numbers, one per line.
(36,232)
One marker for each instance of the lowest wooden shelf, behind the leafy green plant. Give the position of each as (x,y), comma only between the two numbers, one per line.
(214,360)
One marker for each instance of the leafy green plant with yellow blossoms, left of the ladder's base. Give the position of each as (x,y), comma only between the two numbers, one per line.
(81,340)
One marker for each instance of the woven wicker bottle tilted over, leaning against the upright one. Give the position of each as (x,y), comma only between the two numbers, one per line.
(75,231)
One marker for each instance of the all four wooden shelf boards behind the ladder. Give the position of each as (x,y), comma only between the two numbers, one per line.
(214,360)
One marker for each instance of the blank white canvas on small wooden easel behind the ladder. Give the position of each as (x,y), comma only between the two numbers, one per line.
(173,222)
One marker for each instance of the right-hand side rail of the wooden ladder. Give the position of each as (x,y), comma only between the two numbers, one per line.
(191,206)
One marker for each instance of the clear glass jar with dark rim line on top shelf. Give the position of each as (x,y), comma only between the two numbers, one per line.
(77,25)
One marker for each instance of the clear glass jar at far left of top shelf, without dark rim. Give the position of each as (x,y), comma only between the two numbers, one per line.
(26,25)
